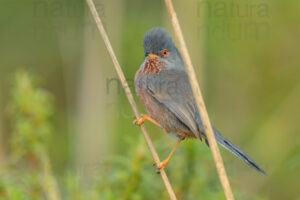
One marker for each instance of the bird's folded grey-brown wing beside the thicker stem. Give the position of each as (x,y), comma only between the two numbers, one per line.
(172,89)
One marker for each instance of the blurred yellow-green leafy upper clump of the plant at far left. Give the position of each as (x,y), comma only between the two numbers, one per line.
(31,111)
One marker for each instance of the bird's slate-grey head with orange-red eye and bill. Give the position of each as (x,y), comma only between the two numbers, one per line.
(158,43)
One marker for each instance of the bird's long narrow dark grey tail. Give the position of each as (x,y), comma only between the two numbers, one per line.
(236,151)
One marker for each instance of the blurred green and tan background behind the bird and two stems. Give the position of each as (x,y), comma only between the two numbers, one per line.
(65,123)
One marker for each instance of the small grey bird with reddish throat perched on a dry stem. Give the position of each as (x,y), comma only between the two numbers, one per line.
(164,90)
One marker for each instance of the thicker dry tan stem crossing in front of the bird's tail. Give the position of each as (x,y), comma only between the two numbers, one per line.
(200,102)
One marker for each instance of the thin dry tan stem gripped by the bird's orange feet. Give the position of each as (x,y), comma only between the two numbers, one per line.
(130,96)
